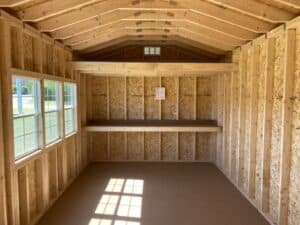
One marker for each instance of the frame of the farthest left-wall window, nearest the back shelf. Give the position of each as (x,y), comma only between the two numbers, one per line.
(74,108)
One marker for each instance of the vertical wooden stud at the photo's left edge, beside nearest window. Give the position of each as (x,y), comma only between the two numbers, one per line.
(11,178)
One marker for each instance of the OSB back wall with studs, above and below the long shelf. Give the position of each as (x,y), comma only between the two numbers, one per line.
(111,97)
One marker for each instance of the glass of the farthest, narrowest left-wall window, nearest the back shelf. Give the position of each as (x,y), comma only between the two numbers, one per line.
(69,107)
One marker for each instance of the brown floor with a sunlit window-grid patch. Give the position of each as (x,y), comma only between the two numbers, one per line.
(170,194)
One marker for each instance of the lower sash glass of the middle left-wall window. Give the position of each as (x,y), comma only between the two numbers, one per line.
(51,126)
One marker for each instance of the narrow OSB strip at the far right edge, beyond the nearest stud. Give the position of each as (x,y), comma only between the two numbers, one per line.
(294,196)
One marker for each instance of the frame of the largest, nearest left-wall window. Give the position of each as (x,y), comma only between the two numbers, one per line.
(37,115)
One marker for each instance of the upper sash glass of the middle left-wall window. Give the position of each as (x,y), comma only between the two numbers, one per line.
(51,95)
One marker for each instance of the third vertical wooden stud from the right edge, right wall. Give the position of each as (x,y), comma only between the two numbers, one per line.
(253,120)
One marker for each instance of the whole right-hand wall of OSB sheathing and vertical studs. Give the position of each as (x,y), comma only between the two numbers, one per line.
(272,183)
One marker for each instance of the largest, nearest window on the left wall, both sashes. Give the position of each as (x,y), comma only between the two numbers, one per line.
(26,112)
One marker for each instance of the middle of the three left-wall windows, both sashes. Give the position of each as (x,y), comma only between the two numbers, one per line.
(51,109)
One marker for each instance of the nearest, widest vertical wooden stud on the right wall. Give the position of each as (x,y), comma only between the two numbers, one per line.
(287,116)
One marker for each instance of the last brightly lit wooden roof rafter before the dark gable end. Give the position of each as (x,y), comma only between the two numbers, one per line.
(105,37)
